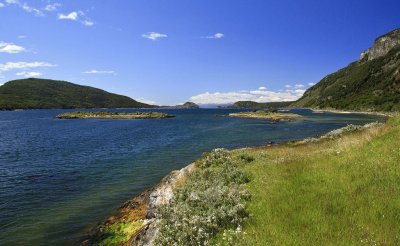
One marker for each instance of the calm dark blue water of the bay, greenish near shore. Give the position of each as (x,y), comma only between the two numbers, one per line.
(60,177)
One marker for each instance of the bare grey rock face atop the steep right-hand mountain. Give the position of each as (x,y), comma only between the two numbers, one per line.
(382,46)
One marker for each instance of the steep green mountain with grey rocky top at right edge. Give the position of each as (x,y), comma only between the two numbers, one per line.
(369,84)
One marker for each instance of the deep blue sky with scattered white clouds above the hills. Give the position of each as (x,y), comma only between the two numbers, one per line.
(206,51)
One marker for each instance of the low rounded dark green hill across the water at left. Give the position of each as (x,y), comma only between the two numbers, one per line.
(44,93)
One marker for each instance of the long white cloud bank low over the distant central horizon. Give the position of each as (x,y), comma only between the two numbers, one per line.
(263,95)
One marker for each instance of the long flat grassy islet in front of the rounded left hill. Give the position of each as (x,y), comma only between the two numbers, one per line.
(113,115)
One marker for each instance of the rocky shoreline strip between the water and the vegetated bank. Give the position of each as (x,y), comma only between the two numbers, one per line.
(141,207)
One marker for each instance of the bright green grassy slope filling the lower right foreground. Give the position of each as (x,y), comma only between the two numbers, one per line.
(345,191)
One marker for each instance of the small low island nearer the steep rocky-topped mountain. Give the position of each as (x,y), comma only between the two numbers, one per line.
(273,115)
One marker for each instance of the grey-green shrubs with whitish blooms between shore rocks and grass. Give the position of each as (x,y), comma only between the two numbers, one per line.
(211,201)
